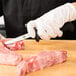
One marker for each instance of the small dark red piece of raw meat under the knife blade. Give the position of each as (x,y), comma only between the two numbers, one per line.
(14,46)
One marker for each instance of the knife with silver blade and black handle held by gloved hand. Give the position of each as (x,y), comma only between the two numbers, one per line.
(23,37)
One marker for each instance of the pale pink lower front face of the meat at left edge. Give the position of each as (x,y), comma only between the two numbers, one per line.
(10,58)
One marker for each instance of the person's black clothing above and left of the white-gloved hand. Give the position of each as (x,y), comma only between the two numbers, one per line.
(18,12)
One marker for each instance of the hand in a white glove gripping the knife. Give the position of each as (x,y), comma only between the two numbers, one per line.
(48,25)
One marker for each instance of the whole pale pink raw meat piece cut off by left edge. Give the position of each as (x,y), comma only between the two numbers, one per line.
(8,57)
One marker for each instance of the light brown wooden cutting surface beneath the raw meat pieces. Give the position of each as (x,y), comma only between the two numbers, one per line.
(67,68)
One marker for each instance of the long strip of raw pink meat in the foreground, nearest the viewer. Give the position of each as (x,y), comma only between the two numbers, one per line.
(40,61)
